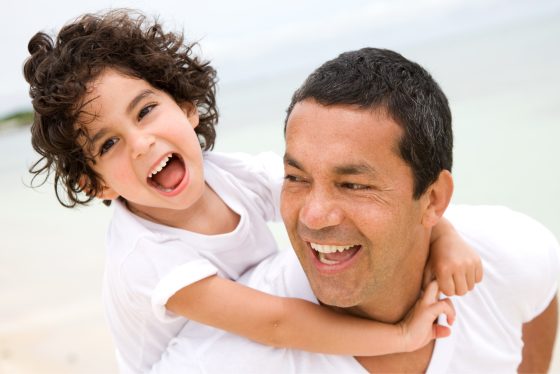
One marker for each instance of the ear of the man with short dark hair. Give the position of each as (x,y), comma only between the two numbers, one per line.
(437,198)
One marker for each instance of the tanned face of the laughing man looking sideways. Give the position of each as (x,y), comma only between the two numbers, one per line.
(348,206)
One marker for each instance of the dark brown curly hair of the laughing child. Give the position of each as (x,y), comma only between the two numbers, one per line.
(59,72)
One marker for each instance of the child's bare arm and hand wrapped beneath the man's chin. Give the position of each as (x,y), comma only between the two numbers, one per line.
(299,324)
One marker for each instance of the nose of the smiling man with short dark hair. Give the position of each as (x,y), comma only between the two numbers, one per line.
(320,211)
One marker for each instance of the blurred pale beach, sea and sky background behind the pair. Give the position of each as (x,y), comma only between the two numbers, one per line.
(498,62)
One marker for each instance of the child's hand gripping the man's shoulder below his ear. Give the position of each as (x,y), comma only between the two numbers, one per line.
(452,262)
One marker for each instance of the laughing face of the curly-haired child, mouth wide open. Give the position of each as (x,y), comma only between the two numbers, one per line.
(144,143)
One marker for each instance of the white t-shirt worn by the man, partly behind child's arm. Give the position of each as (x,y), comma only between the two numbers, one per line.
(521,266)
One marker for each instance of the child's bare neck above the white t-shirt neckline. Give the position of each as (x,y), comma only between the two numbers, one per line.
(210,215)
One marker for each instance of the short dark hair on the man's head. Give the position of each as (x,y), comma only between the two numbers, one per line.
(373,78)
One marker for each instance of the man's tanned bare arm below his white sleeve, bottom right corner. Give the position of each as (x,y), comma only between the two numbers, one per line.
(538,339)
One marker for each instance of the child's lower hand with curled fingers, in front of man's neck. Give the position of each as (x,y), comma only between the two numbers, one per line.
(419,327)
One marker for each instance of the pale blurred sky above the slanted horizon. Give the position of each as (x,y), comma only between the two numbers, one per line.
(250,38)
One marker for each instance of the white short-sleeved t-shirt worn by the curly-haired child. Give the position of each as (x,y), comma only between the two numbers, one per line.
(148,262)
